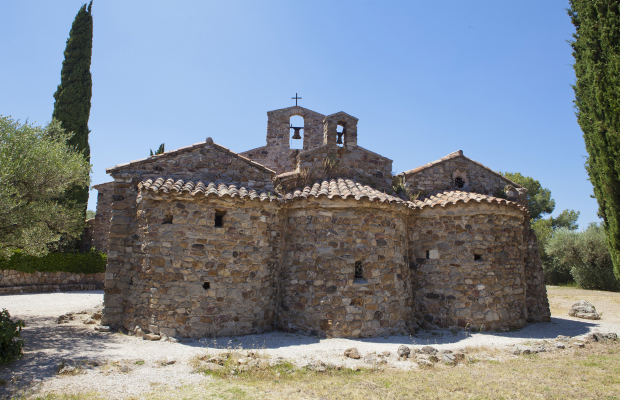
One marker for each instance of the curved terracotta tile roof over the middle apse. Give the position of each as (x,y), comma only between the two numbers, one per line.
(343,188)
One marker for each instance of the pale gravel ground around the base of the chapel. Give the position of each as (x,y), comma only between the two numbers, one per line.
(124,366)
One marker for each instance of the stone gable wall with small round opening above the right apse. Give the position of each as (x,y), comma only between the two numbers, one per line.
(441,177)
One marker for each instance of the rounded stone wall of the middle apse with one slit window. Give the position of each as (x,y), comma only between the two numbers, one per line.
(324,240)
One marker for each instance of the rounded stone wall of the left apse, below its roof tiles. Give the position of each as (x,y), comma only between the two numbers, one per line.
(194,279)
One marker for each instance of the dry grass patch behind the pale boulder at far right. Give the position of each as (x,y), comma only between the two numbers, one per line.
(561,298)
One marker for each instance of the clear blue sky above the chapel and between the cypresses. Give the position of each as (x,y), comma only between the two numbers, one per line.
(492,78)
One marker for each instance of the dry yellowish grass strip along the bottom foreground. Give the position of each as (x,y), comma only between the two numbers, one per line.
(589,373)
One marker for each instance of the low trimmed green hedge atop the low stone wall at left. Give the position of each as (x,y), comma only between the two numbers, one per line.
(86,263)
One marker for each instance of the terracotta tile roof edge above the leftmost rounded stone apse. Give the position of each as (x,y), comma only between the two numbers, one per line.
(208,189)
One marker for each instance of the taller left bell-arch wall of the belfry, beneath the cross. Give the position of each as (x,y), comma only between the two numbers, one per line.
(277,154)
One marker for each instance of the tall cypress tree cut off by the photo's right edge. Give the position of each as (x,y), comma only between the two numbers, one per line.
(596,48)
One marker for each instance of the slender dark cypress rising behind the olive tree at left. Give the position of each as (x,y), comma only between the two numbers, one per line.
(72,105)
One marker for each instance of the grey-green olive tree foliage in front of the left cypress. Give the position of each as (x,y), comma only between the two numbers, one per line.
(36,168)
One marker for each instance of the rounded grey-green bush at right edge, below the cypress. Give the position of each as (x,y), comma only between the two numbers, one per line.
(586,255)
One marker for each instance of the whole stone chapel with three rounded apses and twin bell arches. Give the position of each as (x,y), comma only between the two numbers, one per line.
(324,240)
